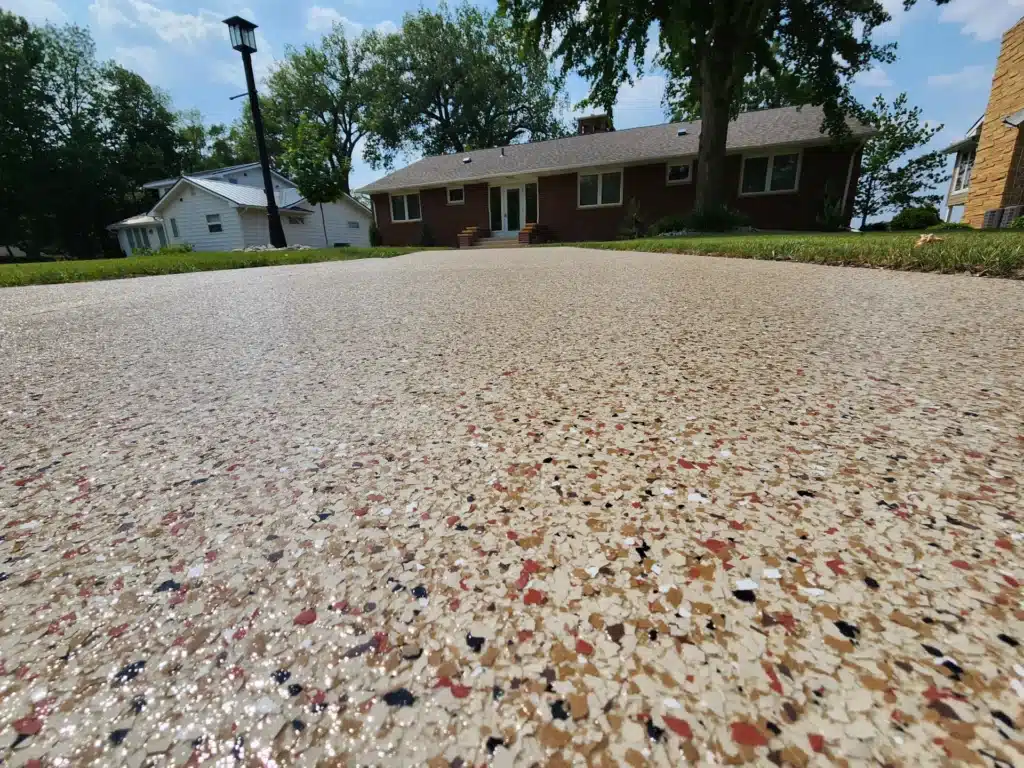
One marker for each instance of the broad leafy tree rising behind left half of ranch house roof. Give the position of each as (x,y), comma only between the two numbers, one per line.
(453,81)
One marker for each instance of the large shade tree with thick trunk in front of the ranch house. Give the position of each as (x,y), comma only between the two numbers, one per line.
(715,47)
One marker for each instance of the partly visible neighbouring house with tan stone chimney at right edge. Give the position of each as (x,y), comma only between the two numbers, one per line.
(988,183)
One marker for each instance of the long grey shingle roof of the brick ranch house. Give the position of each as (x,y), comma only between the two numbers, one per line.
(790,125)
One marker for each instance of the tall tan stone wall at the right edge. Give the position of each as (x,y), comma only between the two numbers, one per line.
(999,149)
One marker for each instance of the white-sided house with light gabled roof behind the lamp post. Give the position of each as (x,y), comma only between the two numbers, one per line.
(226,209)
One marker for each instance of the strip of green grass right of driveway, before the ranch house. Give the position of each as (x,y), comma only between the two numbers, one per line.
(996,254)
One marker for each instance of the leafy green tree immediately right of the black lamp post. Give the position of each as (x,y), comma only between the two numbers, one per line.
(322,94)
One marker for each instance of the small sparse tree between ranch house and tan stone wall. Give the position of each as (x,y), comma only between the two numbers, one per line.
(886,184)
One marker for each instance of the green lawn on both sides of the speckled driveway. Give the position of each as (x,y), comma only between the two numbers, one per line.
(994,254)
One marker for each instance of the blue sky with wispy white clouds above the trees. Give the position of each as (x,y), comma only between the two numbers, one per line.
(946,55)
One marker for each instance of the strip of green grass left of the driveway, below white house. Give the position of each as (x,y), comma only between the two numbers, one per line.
(138,267)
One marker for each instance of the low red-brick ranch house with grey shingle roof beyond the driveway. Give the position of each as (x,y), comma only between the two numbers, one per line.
(783,172)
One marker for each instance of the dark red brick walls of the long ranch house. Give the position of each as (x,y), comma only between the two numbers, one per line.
(824,175)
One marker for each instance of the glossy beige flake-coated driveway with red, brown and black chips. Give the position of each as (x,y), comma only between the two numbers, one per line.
(544,507)
